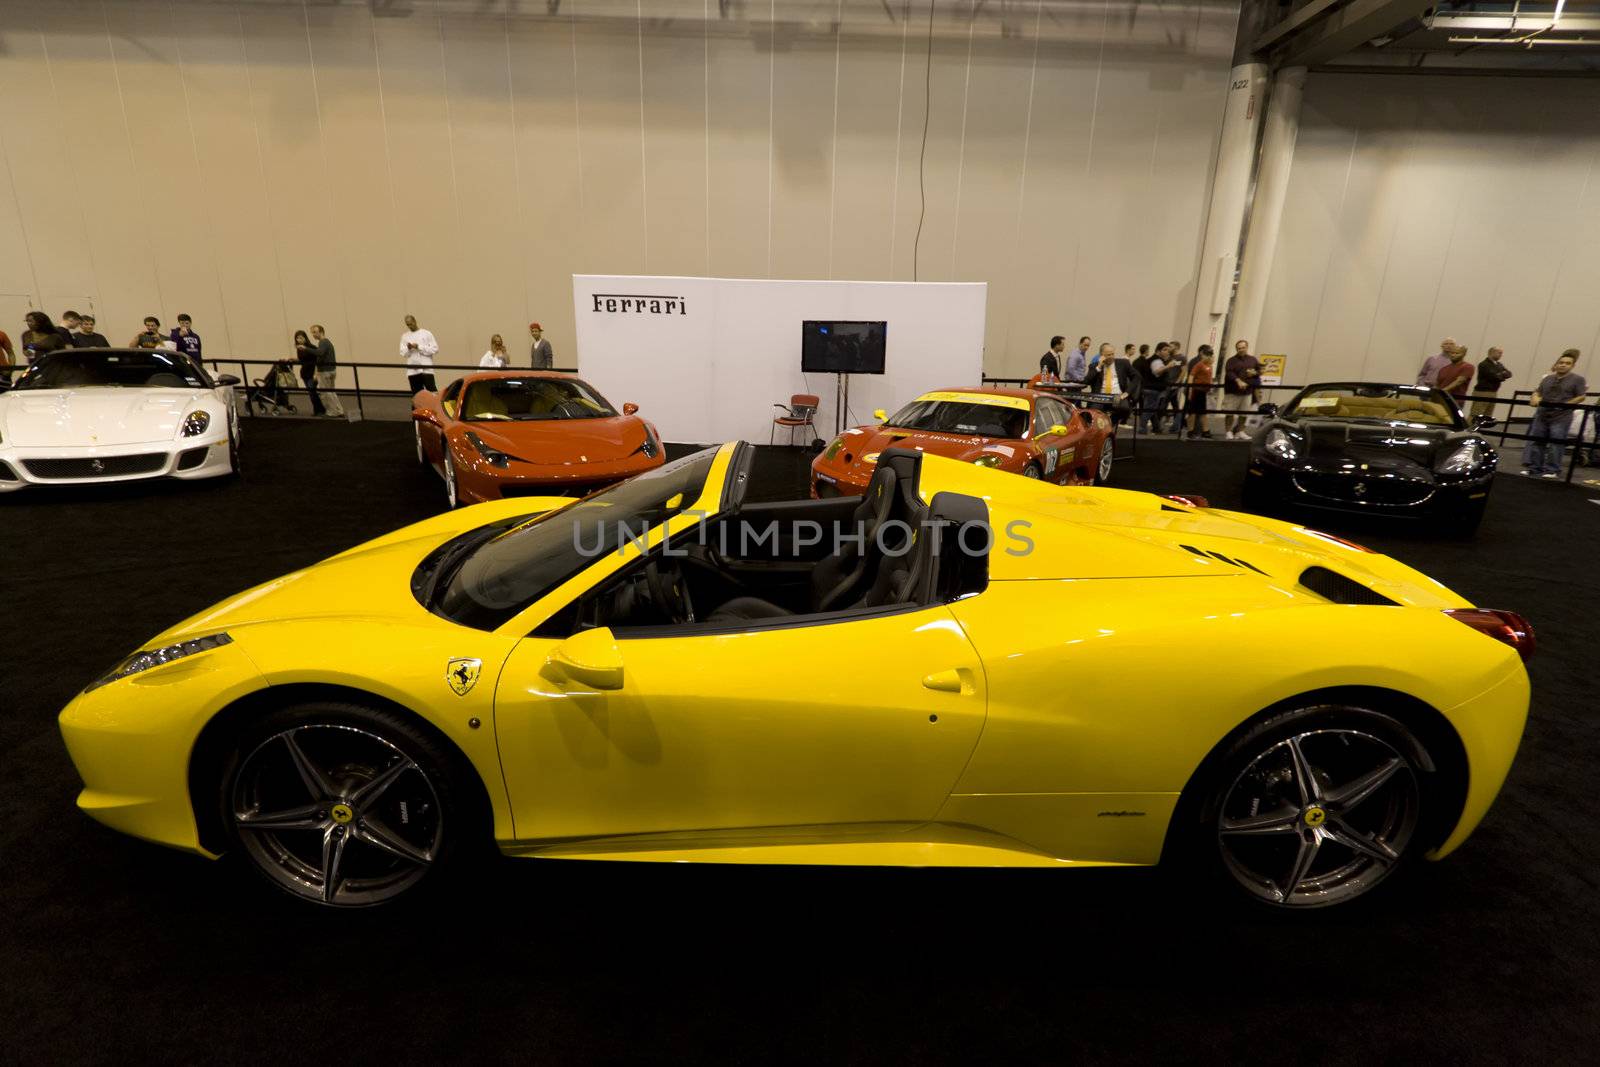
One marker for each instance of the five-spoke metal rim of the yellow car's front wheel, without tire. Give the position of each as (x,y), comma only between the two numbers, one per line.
(337,813)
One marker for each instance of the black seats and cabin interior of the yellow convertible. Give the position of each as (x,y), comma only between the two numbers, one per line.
(786,562)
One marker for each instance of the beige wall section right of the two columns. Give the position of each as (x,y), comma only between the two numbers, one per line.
(1423,209)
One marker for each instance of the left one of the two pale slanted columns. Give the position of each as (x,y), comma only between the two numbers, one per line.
(1230,194)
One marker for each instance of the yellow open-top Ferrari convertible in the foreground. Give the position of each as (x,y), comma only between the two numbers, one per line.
(959,668)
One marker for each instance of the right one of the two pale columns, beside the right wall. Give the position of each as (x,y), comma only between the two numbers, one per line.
(1266,214)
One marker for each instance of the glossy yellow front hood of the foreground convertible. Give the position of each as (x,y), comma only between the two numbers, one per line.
(370,583)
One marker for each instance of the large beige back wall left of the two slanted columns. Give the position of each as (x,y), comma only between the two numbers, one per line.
(271,164)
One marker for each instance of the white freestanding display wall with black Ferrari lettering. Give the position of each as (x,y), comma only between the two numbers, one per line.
(706,359)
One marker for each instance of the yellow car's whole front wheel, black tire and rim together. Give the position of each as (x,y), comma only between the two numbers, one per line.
(383,801)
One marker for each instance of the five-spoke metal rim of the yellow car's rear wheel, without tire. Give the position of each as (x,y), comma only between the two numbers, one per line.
(1319,817)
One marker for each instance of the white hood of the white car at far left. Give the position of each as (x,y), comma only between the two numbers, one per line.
(97,417)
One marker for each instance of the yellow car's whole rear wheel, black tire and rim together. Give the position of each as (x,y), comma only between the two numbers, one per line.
(1249,831)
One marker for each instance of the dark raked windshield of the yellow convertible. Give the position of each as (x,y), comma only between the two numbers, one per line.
(511,572)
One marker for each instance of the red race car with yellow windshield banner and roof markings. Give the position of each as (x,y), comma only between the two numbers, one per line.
(1023,431)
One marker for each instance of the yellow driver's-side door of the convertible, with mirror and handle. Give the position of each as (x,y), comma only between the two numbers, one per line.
(807,724)
